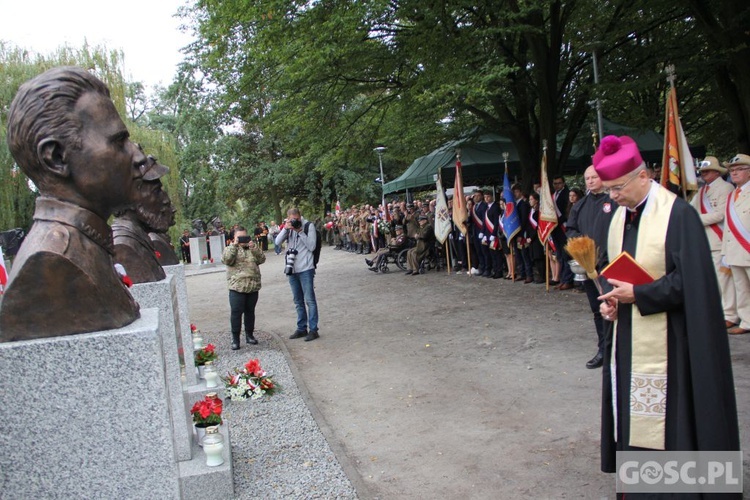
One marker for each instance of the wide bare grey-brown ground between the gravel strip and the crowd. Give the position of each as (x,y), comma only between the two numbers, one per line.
(445,386)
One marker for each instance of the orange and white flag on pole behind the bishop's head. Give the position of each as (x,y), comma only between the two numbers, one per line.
(678,171)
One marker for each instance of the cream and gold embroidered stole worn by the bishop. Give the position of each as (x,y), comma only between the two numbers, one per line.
(648,378)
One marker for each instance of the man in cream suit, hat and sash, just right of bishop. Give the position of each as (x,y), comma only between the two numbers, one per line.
(711,204)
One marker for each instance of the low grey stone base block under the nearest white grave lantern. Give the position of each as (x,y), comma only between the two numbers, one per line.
(198,481)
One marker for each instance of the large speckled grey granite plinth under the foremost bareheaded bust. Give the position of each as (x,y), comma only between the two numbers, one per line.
(87,415)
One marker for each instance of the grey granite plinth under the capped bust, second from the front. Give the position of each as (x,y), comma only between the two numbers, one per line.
(163,295)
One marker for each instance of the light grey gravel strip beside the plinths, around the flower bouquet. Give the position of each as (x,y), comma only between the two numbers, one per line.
(278,450)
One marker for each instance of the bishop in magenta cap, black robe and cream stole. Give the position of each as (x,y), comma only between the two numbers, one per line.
(675,322)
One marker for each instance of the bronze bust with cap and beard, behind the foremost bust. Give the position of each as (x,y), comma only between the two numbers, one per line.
(151,211)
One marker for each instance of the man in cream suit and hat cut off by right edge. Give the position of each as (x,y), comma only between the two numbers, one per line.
(736,242)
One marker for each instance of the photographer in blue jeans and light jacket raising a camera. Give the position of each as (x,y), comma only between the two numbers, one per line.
(300,236)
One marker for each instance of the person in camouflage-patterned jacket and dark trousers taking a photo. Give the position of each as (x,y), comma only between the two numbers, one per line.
(242,259)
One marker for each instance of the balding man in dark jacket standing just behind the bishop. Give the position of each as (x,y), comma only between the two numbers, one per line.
(591,217)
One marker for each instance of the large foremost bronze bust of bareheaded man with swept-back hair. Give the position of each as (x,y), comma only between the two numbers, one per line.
(65,134)
